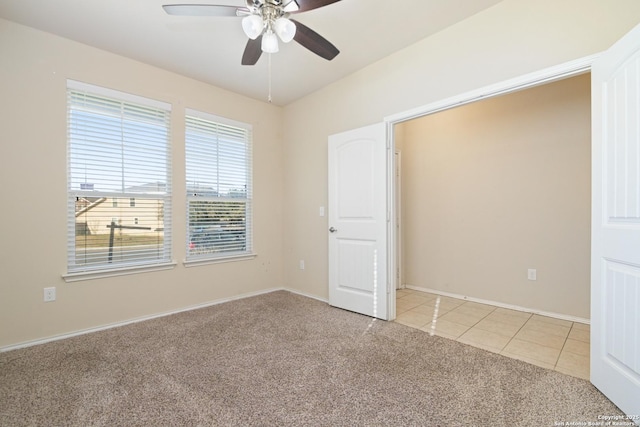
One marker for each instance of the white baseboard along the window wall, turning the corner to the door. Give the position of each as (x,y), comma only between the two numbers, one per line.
(59,337)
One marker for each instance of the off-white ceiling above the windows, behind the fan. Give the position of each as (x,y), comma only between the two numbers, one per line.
(209,49)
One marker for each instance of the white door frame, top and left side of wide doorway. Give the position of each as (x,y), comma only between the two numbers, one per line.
(547,75)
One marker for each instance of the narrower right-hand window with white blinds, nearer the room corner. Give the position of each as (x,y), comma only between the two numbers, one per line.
(218,179)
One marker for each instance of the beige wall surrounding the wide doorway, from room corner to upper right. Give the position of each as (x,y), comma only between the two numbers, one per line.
(511,39)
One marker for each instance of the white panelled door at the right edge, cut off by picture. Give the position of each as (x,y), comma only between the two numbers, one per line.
(615,264)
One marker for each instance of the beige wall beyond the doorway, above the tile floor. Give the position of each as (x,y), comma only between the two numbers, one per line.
(494,188)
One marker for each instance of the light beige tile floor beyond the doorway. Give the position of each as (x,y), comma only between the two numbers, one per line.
(555,344)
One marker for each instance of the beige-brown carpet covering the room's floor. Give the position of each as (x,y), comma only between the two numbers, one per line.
(281,360)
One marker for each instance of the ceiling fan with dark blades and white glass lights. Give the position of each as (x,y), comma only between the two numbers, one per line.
(264,21)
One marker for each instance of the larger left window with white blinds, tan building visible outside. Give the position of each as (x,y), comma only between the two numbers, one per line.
(118,150)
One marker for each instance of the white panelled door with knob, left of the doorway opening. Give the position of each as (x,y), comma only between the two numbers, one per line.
(358,210)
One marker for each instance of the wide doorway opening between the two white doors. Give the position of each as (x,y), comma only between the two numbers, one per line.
(453,224)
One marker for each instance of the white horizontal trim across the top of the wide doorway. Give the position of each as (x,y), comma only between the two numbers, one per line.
(547,75)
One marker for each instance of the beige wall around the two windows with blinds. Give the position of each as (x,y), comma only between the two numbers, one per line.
(34,67)
